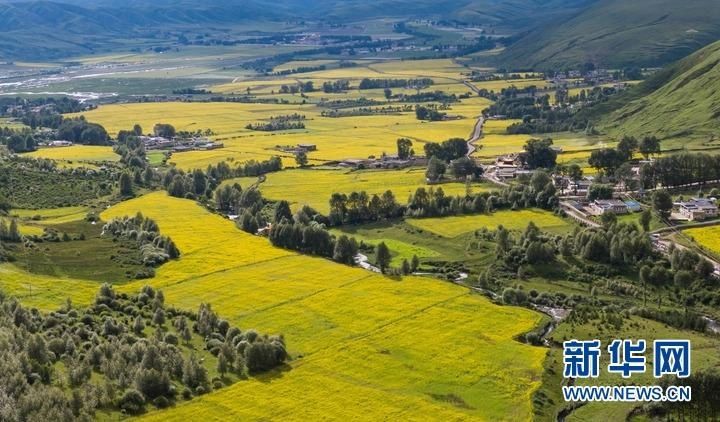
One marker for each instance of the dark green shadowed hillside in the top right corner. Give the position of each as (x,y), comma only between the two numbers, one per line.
(617,33)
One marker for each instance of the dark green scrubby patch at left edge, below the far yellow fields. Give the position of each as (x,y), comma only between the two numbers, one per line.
(31,183)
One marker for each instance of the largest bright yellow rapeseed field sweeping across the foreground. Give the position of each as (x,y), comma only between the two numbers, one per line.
(371,347)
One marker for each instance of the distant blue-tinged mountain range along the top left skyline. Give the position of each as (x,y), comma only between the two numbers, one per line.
(40,30)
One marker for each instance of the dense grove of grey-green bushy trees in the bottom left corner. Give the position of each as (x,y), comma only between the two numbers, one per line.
(122,354)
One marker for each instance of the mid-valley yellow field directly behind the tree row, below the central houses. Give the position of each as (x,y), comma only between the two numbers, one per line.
(313,187)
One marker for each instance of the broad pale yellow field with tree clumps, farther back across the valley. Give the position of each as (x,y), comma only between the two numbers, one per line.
(336,138)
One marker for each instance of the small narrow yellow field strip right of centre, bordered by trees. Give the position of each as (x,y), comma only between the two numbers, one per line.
(511,220)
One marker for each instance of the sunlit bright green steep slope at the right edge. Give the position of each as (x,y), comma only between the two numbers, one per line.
(681,101)
